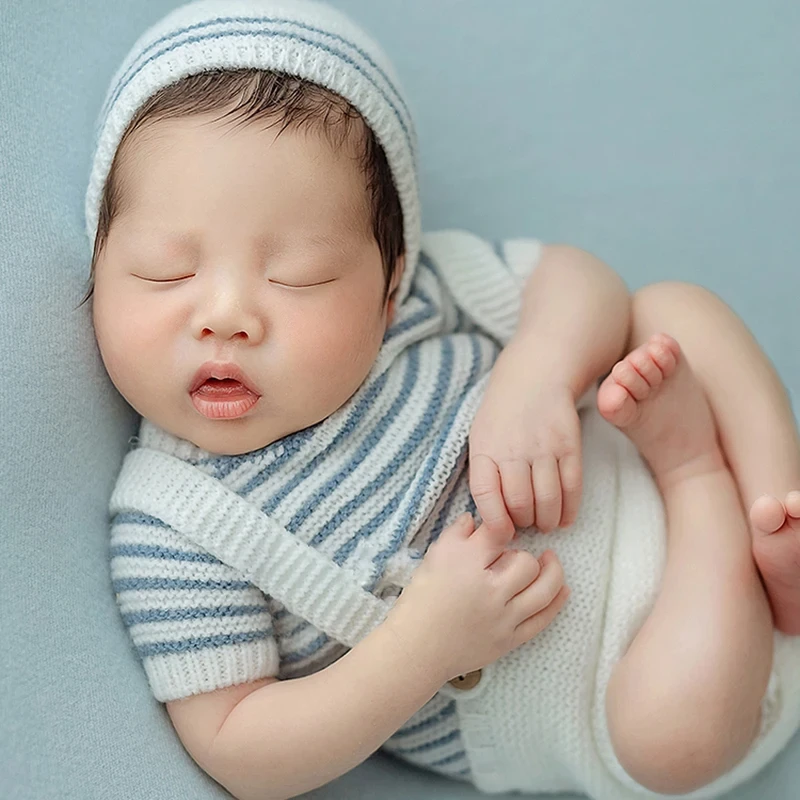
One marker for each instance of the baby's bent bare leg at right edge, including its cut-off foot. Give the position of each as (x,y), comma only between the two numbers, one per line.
(754,419)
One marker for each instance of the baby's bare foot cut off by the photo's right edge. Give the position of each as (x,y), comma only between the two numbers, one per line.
(776,550)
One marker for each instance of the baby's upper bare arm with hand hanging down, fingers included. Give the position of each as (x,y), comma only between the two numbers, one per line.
(525,461)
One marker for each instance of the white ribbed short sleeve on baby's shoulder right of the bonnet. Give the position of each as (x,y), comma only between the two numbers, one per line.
(484,280)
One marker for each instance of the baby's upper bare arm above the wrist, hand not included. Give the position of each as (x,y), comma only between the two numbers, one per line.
(574,321)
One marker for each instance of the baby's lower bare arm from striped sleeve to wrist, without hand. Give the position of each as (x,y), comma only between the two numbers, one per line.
(277,739)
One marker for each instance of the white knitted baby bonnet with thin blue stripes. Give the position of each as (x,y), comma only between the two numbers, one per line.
(303,38)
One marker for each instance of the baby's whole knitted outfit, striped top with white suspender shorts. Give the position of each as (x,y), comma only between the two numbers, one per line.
(274,563)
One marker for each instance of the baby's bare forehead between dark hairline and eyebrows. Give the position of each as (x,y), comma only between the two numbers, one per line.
(178,161)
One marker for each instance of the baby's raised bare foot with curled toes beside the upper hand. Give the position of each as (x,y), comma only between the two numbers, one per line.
(653,396)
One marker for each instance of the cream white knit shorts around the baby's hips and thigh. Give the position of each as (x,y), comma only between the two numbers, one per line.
(536,720)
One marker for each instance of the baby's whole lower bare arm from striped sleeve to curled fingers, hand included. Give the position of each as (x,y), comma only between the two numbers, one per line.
(470,602)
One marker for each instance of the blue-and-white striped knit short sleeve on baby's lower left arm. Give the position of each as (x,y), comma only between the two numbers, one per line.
(195,622)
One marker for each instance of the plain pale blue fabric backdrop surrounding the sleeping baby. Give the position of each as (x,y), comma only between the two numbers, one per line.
(664,137)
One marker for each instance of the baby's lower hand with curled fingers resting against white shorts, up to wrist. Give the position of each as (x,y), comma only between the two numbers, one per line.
(471,601)
